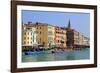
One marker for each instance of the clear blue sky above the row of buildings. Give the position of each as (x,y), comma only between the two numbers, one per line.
(79,21)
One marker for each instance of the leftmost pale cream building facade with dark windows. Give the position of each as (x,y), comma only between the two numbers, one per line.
(29,37)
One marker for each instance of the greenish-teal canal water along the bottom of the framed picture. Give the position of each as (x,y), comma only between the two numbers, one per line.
(69,55)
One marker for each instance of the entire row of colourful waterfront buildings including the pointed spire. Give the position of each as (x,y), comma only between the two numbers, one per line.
(46,35)
